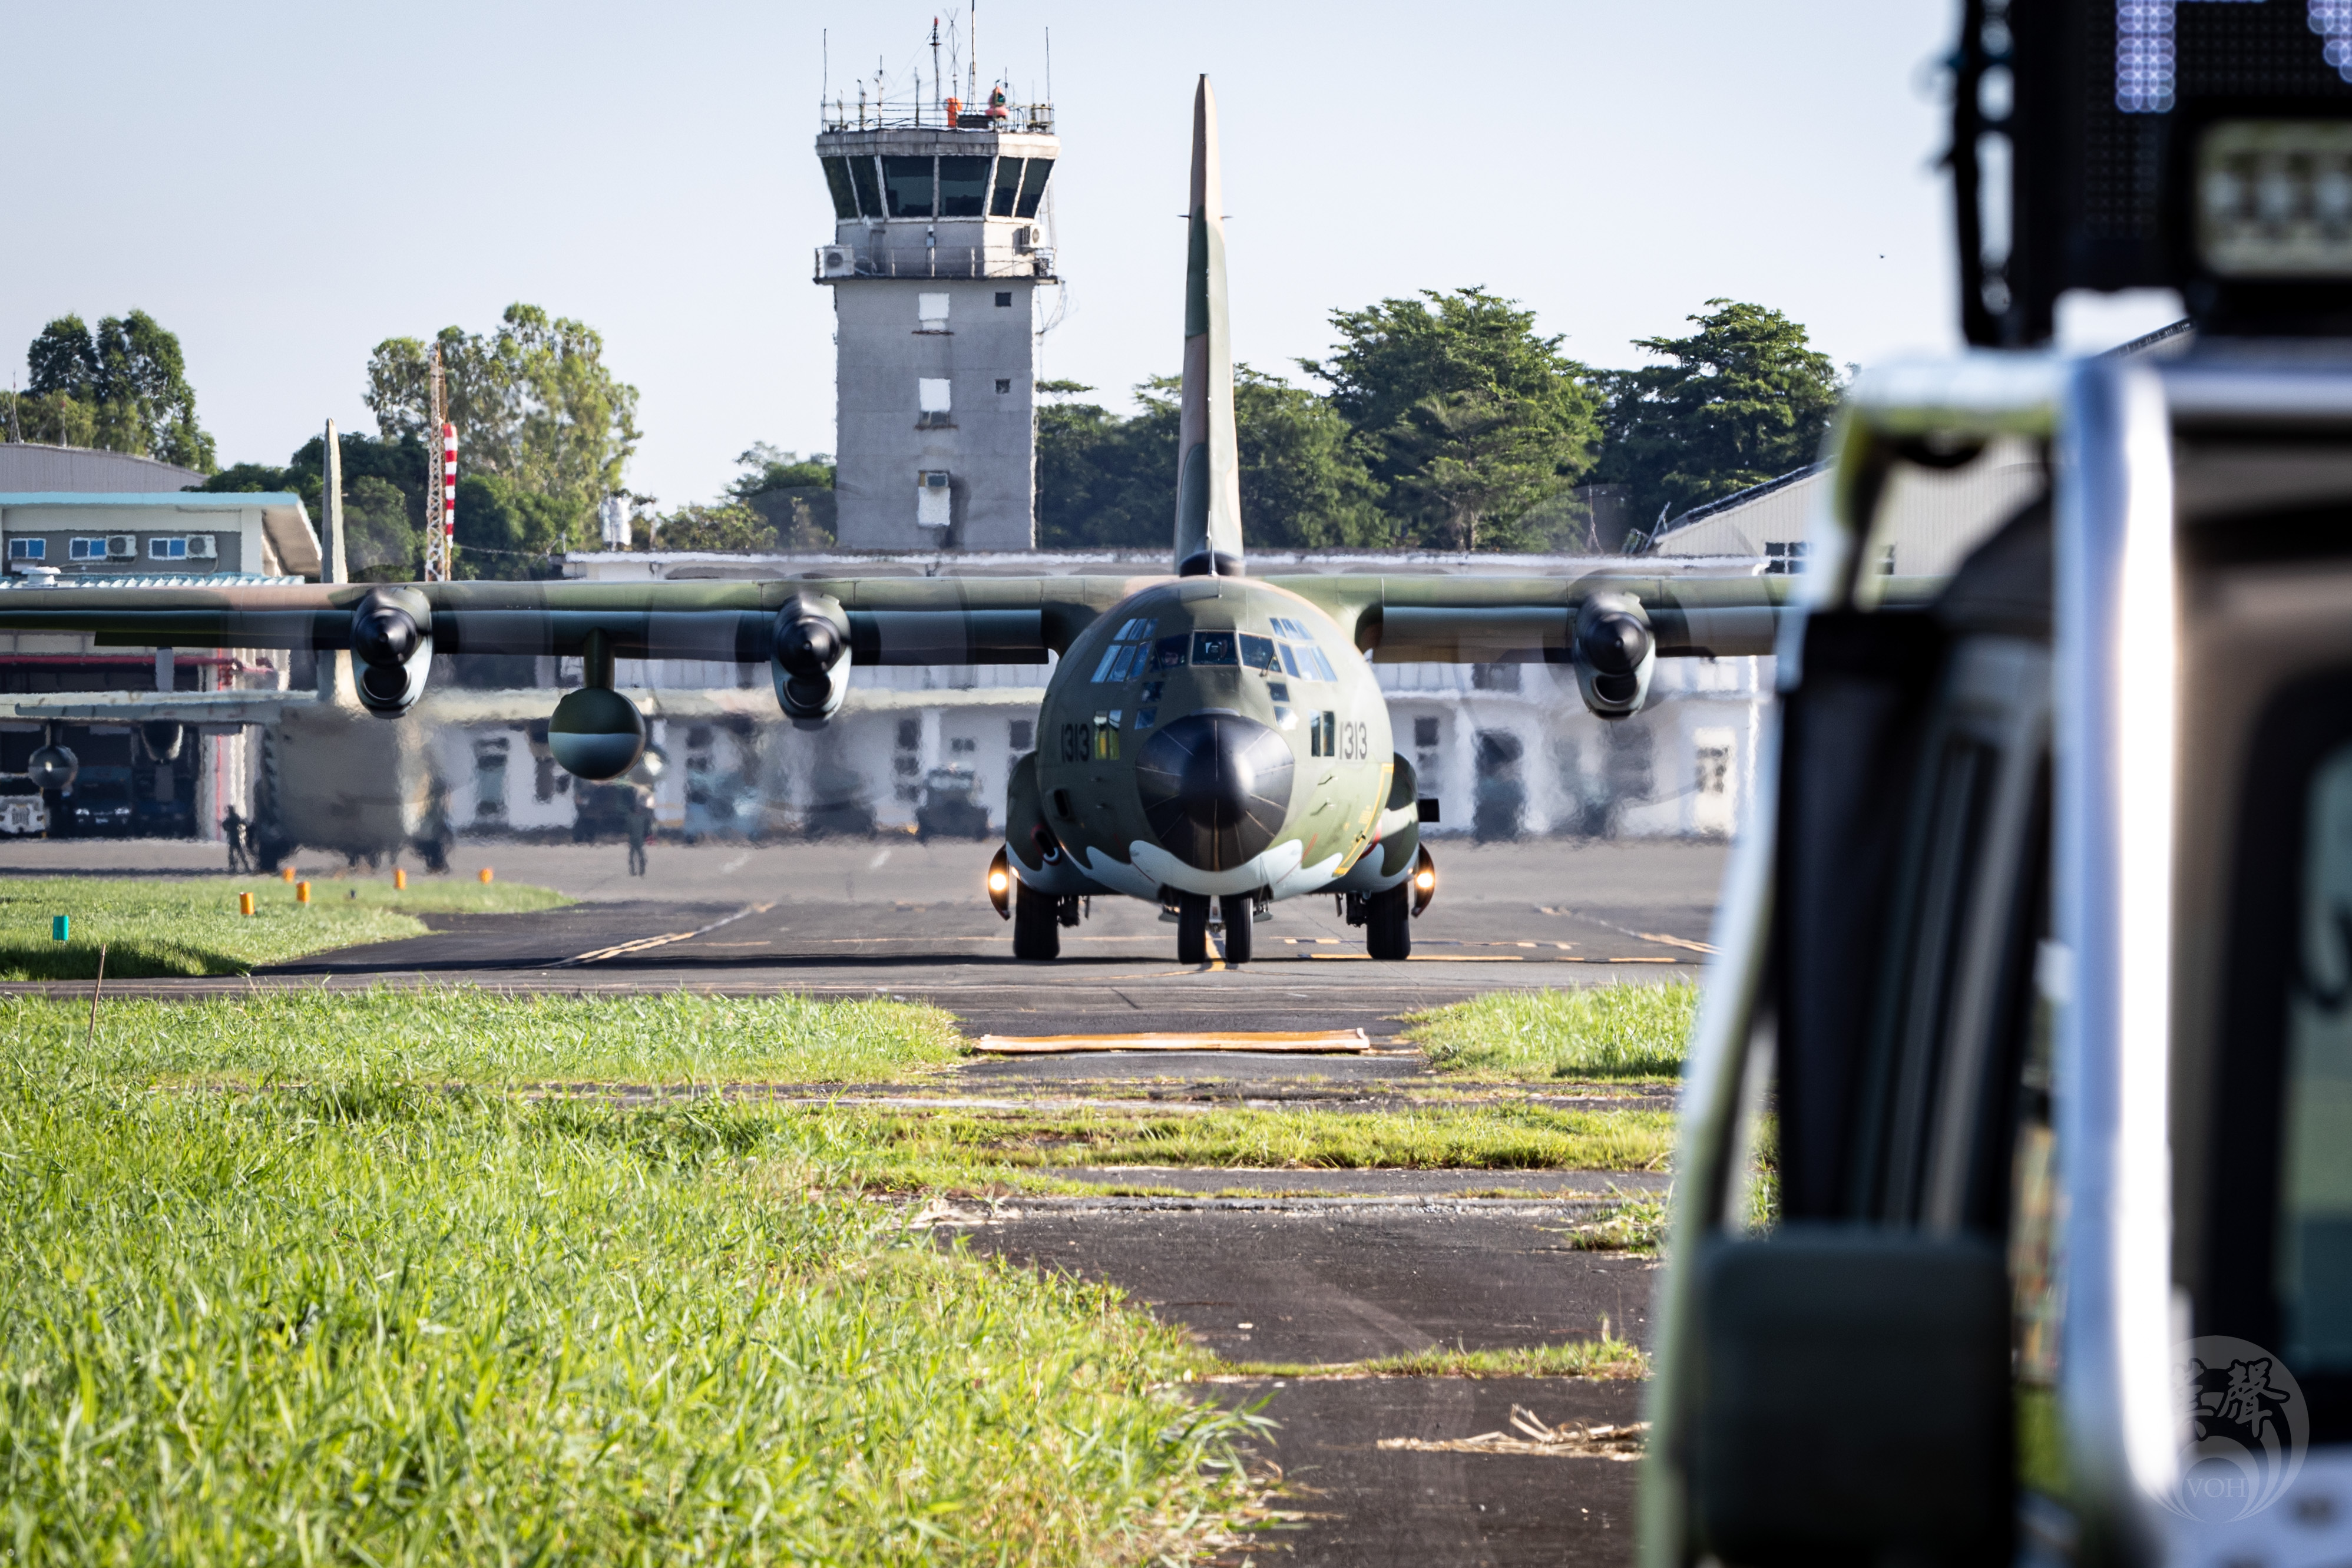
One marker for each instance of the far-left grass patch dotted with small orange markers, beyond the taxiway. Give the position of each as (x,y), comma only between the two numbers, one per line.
(192,927)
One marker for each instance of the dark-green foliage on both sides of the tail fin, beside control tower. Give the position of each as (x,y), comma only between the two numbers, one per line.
(1111,483)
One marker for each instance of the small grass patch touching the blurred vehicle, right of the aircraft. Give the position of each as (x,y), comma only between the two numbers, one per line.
(1596,1033)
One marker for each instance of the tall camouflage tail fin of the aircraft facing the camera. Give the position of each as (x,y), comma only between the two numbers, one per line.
(1208,462)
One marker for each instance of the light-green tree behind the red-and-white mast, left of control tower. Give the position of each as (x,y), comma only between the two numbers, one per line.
(535,410)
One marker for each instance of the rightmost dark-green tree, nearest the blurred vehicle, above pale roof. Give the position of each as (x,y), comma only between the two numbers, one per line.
(1744,401)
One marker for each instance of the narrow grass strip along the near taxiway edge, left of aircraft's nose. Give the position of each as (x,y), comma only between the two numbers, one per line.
(465,1036)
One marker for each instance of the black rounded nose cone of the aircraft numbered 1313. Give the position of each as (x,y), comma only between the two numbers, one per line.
(1215,789)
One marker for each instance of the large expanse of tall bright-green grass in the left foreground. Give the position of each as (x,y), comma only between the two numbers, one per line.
(385,1322)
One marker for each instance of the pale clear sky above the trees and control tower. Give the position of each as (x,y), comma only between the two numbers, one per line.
(288,185)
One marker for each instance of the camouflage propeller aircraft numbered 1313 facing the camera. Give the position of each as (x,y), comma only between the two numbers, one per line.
(1210,742)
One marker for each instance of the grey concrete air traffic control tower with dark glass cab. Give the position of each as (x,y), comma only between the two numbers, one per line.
(937,255)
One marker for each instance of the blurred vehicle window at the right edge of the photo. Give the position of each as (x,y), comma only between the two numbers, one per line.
(2316,1137)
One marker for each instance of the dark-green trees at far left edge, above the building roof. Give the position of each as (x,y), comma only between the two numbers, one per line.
(121,389)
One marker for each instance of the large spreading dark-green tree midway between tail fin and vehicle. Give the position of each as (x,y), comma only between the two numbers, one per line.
(1464,413)
